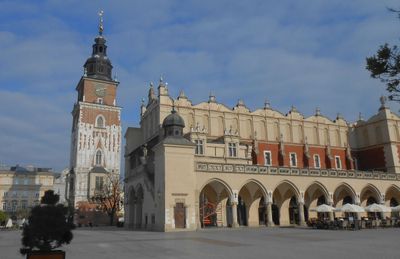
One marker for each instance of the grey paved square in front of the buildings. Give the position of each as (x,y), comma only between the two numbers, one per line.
(240,243)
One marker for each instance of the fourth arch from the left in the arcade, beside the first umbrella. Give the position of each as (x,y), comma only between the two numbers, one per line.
(315,194)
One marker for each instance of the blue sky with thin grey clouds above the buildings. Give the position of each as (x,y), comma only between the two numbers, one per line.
(303,53)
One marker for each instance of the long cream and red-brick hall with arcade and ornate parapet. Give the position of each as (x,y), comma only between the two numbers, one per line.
(190,166)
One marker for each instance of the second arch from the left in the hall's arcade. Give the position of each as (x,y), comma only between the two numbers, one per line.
(251,207)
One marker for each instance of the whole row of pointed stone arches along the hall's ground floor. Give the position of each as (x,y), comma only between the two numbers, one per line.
(220,205)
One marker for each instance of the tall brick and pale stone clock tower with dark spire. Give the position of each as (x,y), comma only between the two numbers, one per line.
(96,127)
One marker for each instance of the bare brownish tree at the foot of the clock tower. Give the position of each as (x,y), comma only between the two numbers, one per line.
(109,199)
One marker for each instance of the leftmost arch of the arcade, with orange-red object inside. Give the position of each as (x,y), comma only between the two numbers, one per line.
(215,204)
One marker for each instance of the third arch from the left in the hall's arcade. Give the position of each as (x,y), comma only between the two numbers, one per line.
(285,195)
